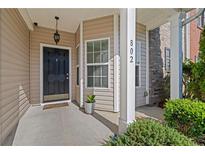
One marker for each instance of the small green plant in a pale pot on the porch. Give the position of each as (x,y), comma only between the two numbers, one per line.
(90,104)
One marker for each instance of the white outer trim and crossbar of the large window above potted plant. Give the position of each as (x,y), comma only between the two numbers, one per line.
(91,64)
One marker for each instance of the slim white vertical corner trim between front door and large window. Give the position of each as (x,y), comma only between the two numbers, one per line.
(81,64)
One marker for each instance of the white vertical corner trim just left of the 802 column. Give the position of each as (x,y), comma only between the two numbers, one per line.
(116,64)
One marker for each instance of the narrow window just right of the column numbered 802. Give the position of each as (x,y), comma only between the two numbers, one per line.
(138,63)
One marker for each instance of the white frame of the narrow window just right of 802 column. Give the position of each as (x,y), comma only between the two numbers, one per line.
(140,62)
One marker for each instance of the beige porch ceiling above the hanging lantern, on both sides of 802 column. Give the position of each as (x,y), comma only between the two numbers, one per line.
(71,18)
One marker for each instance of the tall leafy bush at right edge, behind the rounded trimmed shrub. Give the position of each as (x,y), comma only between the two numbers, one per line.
(194,74)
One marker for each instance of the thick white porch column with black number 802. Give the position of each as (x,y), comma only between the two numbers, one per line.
(127,67)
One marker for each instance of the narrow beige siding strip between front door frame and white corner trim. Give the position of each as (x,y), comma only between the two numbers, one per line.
(77,42)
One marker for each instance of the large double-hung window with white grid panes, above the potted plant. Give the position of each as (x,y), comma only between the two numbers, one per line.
(97,52)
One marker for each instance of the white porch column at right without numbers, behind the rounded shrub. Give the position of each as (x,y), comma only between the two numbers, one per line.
(176,56)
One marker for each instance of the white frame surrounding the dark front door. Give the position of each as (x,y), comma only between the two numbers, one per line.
(41,72)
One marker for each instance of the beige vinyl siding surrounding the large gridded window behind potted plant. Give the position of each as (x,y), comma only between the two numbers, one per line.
(95,29)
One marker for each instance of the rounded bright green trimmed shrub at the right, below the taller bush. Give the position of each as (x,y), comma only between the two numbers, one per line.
(187,116)
